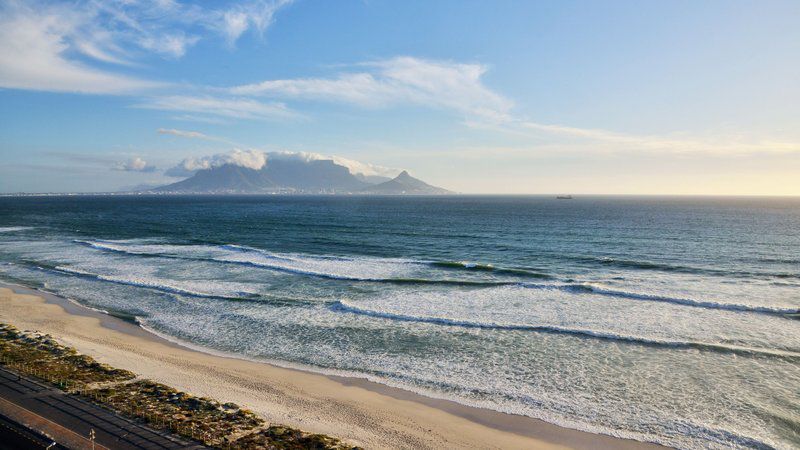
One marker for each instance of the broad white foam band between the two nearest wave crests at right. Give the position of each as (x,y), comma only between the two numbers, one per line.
(557,310)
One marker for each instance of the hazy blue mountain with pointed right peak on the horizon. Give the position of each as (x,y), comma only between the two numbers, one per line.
(319,176)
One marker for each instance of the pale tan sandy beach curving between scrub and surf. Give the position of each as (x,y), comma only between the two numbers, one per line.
(357,410)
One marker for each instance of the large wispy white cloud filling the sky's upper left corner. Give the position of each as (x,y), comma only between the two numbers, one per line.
(51,46)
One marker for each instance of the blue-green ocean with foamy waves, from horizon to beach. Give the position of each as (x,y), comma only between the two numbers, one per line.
(668,320)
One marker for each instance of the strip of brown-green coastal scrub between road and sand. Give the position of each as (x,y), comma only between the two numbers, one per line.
(201,419)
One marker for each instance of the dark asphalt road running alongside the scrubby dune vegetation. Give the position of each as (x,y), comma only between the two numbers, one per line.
(79,416)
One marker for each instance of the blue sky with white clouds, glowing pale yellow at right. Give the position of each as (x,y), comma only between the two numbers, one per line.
(536,97)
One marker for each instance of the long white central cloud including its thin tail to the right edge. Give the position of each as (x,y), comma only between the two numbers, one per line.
(459,87)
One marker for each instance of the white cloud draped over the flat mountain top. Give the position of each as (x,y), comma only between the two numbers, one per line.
(257,159)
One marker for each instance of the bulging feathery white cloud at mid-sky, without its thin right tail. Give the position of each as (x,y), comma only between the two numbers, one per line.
(401,80)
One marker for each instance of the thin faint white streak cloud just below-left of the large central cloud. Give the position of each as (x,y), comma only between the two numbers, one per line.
(238,108)
